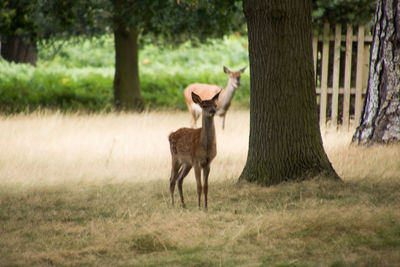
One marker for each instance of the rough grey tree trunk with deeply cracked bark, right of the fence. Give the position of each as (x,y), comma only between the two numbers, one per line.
(380,120)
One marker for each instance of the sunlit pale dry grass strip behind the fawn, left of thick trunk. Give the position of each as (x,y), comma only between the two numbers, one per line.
(53,149)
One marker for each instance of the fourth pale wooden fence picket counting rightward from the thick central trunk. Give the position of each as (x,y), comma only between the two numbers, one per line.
(347,77)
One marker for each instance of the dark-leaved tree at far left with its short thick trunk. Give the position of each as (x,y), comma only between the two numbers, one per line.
(25,23)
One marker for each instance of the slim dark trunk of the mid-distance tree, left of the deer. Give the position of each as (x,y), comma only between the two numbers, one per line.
(126,81)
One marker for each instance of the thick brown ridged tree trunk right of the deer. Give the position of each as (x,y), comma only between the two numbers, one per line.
(285,142)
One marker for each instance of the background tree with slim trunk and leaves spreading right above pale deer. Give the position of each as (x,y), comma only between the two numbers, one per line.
(168,21)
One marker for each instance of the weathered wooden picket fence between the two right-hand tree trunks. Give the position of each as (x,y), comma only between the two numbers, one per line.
(341,60)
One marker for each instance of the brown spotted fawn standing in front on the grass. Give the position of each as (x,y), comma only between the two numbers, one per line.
(194,148)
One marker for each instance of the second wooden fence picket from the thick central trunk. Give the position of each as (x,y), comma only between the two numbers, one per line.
(324,77)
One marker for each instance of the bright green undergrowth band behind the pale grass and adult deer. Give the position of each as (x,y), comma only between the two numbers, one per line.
(79,77)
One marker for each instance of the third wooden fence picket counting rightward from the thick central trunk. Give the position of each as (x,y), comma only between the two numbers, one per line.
(336,69)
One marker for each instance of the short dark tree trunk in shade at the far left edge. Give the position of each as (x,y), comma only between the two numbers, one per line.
(17,49)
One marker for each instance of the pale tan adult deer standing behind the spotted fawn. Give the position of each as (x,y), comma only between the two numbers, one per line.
(206,91)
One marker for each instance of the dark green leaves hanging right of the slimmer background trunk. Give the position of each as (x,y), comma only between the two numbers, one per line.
(176,21)
